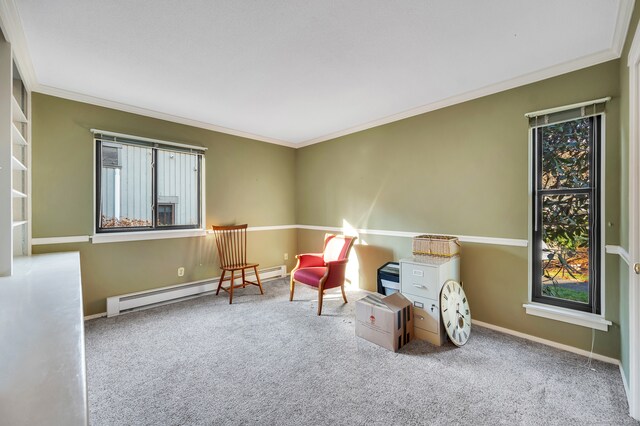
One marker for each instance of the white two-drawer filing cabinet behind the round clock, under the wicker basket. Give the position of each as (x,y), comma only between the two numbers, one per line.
(421,280)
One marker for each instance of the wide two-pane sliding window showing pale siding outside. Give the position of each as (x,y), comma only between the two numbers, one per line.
(142,184)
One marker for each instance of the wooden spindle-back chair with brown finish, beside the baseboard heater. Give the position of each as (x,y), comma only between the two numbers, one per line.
(232,251)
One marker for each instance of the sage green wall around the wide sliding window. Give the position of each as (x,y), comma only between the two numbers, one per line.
(247,181)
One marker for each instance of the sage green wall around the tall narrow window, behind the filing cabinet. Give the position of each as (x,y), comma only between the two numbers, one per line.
(463,170)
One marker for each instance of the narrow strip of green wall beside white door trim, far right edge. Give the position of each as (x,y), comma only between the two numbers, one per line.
(624,191)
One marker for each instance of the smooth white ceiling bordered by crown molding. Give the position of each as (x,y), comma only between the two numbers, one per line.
(298,72)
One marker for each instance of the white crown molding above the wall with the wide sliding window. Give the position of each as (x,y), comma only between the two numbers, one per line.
(93,100)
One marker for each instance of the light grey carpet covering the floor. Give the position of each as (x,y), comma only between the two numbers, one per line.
(264,360)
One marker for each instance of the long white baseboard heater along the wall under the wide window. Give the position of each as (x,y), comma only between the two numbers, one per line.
(117,305)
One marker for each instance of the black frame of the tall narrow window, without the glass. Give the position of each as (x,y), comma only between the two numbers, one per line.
(596,219)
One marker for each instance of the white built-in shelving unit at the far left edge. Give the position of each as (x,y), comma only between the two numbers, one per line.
(15,162)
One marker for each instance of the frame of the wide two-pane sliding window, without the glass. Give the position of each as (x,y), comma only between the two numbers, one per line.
(109,138)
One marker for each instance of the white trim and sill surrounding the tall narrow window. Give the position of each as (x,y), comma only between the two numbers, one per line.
(571,316)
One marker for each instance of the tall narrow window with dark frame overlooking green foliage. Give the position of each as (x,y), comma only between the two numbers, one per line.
(566,211)
